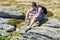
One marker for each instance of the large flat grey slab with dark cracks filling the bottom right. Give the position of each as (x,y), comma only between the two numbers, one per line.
(40,33)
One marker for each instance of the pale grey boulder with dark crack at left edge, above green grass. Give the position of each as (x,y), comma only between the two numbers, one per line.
(6,30)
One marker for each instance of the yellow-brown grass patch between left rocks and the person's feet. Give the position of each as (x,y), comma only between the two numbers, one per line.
(16,22)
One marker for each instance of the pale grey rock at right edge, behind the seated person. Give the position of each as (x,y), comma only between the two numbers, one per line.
(53,22)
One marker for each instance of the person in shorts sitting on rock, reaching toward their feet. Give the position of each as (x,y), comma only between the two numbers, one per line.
(33,15)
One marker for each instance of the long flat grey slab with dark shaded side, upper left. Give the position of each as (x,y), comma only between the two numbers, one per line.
(11,13)
